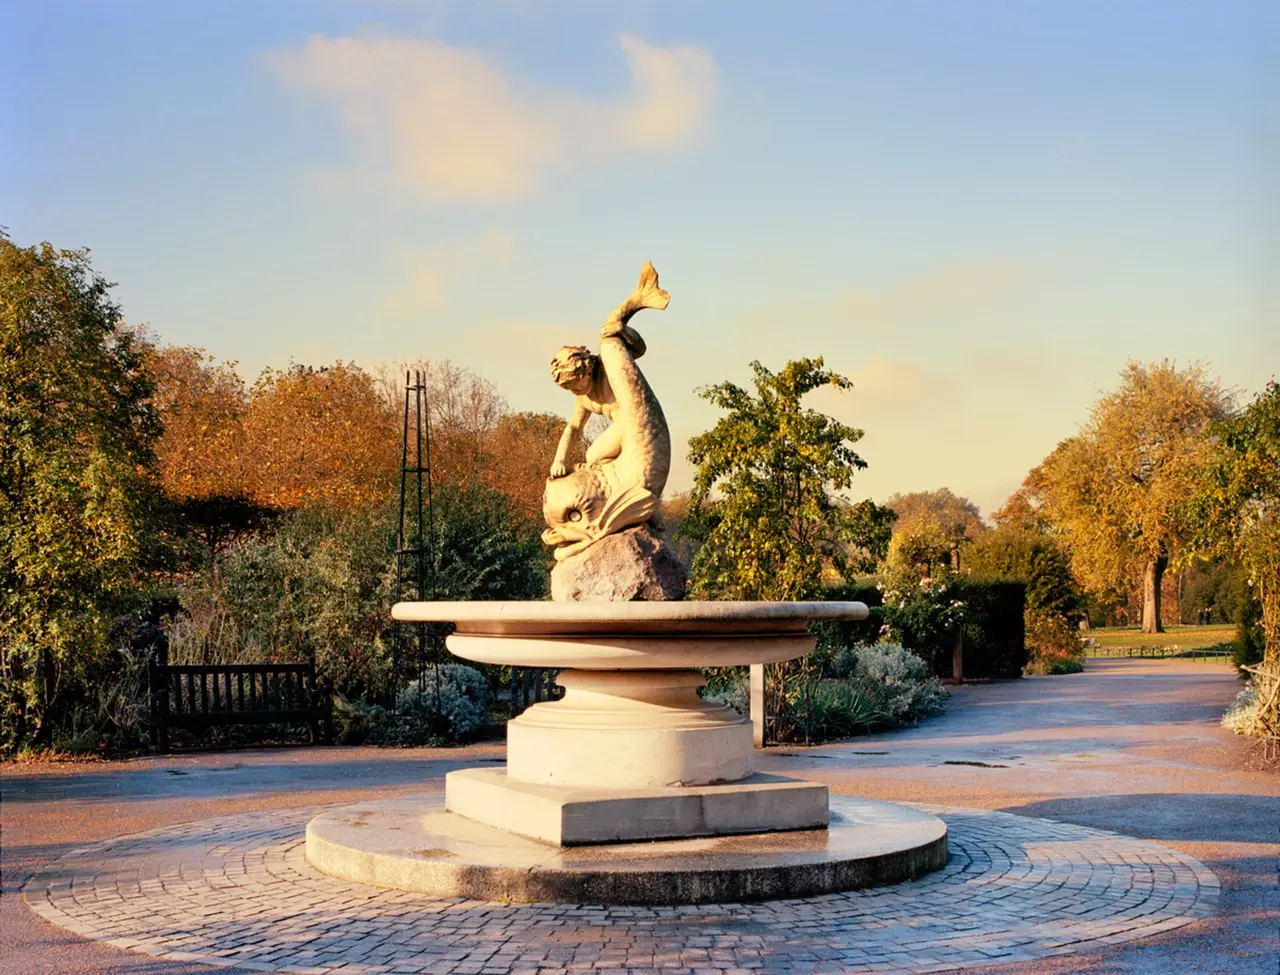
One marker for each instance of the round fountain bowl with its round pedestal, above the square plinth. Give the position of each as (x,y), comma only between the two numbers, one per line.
(630,717)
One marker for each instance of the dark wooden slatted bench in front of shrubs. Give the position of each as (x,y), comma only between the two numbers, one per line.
(198,698)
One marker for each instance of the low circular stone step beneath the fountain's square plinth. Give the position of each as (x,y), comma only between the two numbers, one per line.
(414,845)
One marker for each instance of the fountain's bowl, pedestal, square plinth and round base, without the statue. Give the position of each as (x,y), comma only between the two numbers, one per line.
(630,789)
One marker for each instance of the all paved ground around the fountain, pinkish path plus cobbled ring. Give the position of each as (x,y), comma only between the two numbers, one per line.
(1130,748)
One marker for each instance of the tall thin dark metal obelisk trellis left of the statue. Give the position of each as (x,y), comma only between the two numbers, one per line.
(418,647)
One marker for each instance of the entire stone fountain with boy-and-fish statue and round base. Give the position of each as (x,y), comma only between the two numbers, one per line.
(630,789)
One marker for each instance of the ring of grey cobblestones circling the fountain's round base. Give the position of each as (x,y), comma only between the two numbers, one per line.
(237,891)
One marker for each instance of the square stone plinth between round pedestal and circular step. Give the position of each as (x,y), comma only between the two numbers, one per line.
(572,817)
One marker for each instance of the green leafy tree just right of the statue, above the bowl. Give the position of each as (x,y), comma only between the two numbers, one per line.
(778,527)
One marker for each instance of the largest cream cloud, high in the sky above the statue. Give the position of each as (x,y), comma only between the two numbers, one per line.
(449,123)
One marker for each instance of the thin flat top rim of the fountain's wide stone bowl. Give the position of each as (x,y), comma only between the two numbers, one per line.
(602,612)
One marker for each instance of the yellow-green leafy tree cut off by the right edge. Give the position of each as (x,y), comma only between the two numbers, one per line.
(1238,507)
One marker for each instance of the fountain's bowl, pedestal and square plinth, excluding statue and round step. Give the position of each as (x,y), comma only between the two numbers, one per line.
(632,752)
